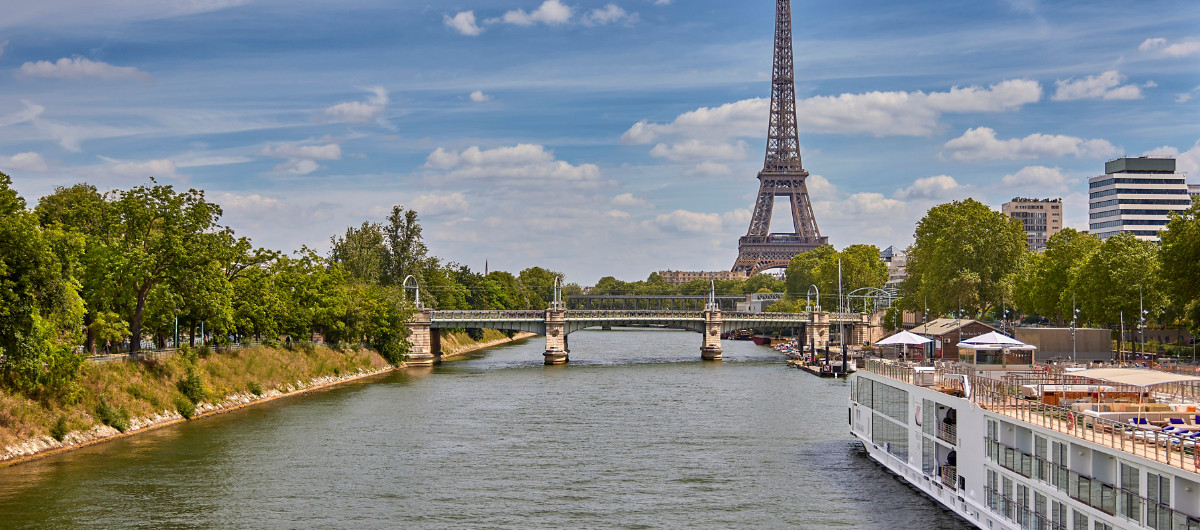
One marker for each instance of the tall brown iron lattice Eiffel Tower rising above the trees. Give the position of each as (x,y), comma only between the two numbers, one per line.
(783,174)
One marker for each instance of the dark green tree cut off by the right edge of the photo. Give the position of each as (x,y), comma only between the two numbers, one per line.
(1181,263)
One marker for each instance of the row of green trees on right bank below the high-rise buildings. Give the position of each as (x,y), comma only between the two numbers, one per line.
(974,262)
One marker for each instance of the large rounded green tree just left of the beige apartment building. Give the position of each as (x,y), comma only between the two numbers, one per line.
(964,255)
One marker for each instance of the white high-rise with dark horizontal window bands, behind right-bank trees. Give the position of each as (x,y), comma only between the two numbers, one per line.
(1136,196)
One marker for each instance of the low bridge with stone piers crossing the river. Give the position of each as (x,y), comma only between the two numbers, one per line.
(559,322)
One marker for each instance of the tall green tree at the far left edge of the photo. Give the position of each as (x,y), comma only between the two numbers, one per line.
(41,312)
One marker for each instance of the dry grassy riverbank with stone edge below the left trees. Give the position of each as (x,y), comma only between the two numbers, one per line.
(123,399)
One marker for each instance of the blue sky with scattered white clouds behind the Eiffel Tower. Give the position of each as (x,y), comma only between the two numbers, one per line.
(590,137)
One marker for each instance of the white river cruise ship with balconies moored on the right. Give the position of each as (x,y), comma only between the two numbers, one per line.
(1037,448)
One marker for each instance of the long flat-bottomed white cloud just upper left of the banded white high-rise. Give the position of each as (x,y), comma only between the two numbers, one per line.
(981,143)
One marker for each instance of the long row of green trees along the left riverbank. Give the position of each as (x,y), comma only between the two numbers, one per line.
(87,270)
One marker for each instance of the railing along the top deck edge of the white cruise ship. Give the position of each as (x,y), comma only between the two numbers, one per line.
(1004,396)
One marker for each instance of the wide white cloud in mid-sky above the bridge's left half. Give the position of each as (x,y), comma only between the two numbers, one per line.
(518,164)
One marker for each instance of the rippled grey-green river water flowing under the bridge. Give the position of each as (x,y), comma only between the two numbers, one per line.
(635,432)
